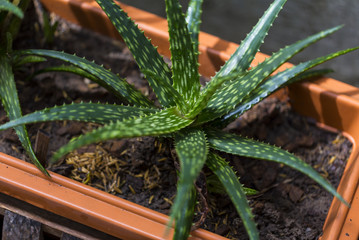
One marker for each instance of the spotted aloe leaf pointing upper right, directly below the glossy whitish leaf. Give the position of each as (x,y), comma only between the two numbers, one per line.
(231,94)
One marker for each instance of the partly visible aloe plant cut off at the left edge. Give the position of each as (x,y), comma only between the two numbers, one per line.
(11,14)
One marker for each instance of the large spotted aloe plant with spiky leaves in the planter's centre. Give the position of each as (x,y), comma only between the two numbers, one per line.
(189,114)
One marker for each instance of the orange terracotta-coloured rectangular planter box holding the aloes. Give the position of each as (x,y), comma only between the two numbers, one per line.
(332,103)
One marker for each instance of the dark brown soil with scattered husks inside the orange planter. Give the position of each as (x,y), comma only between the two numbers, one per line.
(289,205)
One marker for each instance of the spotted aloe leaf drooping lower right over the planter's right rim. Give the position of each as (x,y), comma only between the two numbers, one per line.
(242,146)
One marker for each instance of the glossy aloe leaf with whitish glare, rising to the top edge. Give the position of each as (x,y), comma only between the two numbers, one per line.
(240,61)
